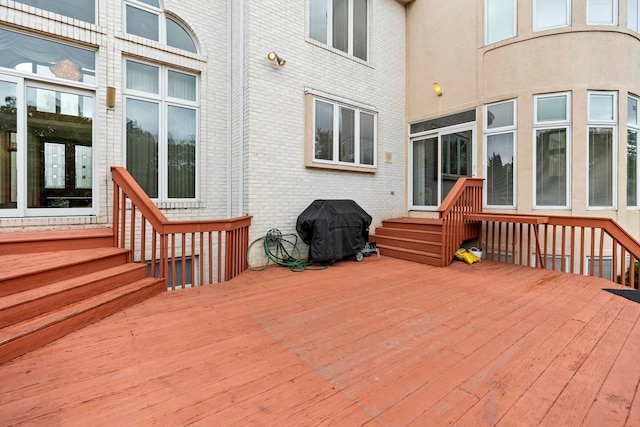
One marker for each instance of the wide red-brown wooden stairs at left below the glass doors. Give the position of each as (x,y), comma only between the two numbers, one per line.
(55,282)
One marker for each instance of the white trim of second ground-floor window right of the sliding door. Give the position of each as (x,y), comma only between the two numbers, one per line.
(555,124)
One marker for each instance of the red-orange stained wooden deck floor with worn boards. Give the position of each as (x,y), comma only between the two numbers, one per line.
(381,342)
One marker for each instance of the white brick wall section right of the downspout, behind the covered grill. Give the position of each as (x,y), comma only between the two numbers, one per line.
(279,185)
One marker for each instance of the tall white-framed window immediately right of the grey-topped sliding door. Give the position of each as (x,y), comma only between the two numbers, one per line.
(500,144)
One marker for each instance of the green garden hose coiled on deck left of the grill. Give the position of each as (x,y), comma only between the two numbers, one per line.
(274,248)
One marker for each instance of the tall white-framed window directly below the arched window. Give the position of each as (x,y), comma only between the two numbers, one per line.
(161,107)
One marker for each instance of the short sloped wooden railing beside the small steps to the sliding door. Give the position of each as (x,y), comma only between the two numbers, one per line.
(465,198)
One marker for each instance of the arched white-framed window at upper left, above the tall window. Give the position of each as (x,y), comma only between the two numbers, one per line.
(145,18)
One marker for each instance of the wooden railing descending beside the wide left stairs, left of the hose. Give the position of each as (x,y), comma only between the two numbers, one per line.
(184,253)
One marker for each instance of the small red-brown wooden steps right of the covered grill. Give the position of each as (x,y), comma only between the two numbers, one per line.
(412,239)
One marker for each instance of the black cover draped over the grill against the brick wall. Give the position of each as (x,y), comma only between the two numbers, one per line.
(333,229)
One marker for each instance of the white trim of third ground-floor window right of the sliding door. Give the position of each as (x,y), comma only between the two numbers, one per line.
(612,124)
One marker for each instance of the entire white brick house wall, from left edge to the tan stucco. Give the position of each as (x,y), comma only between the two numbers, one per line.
(277,186)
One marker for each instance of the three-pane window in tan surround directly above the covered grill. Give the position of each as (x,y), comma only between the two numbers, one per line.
(342,134)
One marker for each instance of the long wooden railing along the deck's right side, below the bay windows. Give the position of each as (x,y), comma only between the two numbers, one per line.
(584,245)
